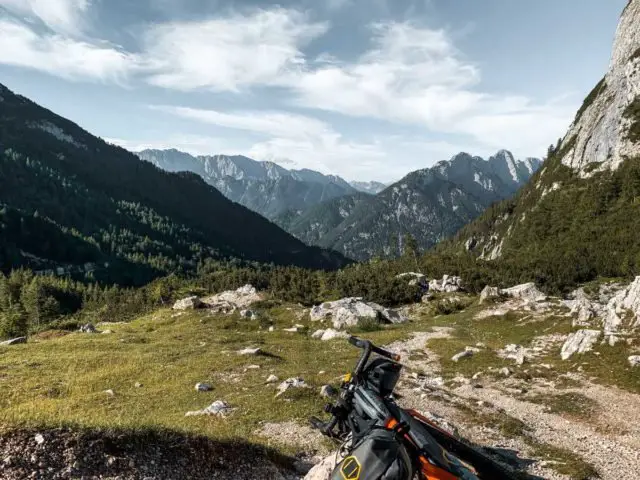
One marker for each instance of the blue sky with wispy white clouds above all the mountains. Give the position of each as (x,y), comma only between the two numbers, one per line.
(366,89)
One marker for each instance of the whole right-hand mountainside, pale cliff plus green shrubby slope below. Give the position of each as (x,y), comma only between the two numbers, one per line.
(578,218)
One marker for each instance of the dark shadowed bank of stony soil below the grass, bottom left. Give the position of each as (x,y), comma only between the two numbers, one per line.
(68,453)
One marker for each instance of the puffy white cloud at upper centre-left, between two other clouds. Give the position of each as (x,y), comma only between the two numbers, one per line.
(227,54)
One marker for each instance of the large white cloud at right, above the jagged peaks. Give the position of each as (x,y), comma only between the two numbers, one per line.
(416,76)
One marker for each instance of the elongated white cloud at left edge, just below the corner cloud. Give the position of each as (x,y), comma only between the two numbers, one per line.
(61,56)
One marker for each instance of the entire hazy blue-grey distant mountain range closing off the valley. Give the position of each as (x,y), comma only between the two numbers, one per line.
(360,219)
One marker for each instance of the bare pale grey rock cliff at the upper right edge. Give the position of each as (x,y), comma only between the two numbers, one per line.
(601,136)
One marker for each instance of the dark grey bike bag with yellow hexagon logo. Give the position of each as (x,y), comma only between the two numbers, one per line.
(379,456)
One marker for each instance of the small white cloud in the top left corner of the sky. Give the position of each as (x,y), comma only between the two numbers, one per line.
(59,15)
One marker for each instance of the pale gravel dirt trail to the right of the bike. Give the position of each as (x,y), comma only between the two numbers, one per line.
(610,440)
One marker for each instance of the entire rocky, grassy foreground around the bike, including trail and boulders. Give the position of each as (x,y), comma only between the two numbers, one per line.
(548,386)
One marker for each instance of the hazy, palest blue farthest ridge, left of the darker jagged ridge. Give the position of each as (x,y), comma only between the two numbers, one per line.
(264,187)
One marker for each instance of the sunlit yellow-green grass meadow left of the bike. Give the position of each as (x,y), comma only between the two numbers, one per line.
(61,379)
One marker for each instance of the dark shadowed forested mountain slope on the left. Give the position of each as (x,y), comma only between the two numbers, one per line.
(71,202)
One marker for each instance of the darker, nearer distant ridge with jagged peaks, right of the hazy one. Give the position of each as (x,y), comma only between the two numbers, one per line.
(430,204)
